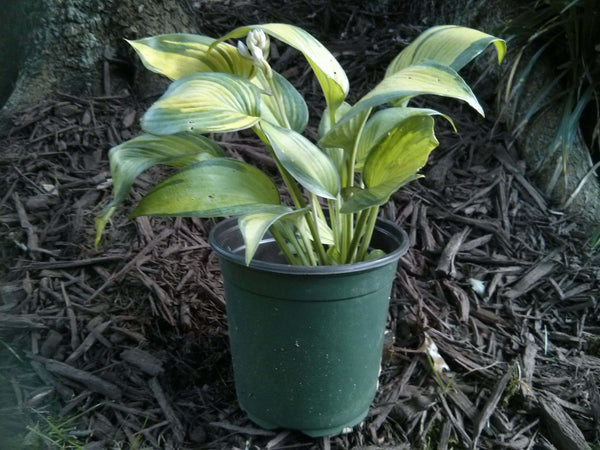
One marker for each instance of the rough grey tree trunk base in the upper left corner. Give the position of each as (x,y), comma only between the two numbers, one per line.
(77,46)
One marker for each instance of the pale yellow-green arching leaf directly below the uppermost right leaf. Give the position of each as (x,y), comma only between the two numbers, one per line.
(428,78)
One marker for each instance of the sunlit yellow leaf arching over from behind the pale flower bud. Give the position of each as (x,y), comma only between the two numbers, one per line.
(327,69)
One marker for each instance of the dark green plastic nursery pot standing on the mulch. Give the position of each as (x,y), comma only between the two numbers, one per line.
(306,342)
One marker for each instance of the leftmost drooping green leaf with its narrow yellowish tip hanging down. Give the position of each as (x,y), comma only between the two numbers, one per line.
(131,158)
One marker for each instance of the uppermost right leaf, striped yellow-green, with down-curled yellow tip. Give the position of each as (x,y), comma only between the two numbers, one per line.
(449,45)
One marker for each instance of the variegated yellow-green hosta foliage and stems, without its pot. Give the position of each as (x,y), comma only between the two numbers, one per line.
(364,152)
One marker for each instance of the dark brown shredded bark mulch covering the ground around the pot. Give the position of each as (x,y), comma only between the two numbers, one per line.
(126,346)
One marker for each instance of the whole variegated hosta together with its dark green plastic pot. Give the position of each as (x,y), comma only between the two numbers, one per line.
(307,282)
